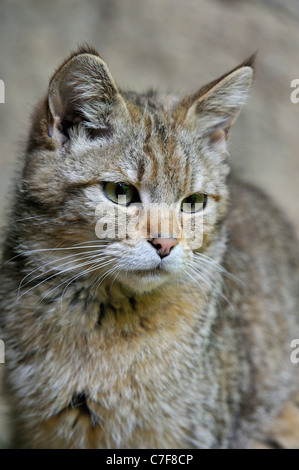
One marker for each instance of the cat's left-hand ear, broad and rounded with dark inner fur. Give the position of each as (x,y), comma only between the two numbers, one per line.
(83,91)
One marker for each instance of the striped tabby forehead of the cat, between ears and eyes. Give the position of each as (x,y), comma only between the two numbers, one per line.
(151,152)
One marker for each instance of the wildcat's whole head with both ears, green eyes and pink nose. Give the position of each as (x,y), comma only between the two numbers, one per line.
(134,184)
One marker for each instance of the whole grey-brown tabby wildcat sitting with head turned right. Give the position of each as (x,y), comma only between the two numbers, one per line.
(155,337)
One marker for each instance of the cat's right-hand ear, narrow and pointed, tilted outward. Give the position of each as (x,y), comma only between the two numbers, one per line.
(214,108)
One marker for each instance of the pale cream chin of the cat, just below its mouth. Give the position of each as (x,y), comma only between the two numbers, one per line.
(144,281)
